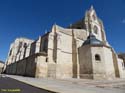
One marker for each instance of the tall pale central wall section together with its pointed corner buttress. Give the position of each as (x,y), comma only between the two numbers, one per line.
(59,54)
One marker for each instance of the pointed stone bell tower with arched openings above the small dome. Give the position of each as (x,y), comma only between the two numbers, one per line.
(94,25)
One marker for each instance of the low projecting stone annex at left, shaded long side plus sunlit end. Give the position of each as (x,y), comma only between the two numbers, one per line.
(28,66)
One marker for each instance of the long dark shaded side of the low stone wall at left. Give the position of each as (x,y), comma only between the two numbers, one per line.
(25,67)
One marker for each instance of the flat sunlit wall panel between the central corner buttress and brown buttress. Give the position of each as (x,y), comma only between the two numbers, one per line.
(64,62)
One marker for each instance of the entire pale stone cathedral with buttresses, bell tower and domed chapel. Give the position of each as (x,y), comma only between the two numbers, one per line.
(78,51)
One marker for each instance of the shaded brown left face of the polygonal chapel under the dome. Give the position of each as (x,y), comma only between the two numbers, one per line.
(85,62)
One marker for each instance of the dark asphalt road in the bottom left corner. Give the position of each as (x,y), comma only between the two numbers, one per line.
(8,85)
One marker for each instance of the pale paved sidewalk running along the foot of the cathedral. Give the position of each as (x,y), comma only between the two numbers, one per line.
(74,85)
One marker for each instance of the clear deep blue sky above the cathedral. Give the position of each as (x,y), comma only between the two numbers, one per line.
(30,18)
